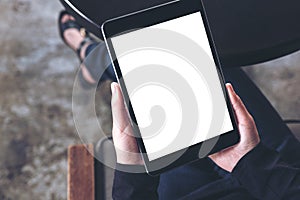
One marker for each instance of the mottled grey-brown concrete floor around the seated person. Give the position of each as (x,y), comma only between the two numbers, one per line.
(37,74)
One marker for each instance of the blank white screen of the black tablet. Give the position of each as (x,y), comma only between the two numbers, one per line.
(158,108)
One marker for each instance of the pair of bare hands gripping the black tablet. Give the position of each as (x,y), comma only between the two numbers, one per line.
(226,159)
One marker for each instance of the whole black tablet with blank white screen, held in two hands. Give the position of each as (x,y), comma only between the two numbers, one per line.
(168,69)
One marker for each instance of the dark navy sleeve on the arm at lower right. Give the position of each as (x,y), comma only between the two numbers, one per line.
(267,176)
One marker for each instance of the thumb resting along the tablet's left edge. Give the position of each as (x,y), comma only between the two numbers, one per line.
(119,112)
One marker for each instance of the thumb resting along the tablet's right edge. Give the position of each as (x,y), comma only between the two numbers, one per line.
(240,110)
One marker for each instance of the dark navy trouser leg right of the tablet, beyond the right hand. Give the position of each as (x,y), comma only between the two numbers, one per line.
(273,132)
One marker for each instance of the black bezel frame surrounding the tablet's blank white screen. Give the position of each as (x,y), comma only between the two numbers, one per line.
(143,19)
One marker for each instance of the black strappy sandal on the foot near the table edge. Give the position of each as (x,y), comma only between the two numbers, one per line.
(72,24)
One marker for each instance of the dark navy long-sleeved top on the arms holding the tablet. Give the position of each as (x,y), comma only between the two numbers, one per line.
(261,174)
